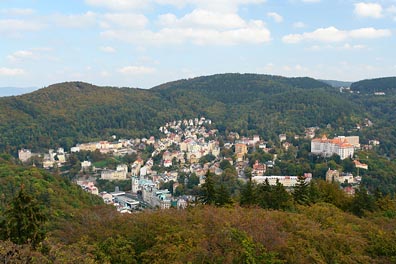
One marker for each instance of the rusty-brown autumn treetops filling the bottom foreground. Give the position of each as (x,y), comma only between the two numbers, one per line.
(317,234)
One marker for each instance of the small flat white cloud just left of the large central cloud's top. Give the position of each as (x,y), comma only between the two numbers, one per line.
(124,20)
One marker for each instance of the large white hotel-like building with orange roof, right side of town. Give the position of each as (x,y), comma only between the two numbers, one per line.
(328,147)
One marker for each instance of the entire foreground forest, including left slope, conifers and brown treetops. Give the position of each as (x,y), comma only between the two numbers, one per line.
(46,219)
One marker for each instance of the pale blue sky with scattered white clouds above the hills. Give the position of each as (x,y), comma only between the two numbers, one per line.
(144,43)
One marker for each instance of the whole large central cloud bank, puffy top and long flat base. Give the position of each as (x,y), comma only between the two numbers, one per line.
(200,27)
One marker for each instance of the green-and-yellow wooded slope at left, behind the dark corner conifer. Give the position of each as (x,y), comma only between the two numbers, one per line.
(57,196)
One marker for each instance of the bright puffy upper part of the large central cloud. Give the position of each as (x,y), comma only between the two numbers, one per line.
(203,18)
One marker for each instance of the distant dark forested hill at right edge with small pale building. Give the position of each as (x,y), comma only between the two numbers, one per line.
(386,85)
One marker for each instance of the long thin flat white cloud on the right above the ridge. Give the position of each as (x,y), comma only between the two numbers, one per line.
(332,34)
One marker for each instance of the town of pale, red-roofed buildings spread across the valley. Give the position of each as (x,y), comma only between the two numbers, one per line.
(165,172)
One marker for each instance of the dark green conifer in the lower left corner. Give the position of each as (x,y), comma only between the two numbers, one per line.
(24,220)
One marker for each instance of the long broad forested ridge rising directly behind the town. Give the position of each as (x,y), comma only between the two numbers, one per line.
(68,113)
